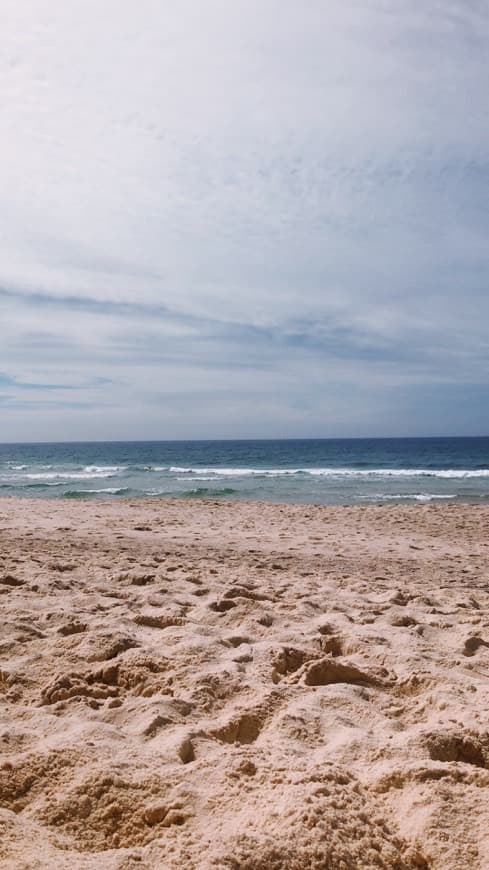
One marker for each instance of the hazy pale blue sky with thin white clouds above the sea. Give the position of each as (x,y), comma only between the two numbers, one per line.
(257,218)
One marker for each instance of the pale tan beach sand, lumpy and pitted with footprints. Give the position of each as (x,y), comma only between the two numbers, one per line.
(225,685)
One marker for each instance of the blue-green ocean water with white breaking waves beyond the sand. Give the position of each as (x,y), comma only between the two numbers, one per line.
(333,471)
